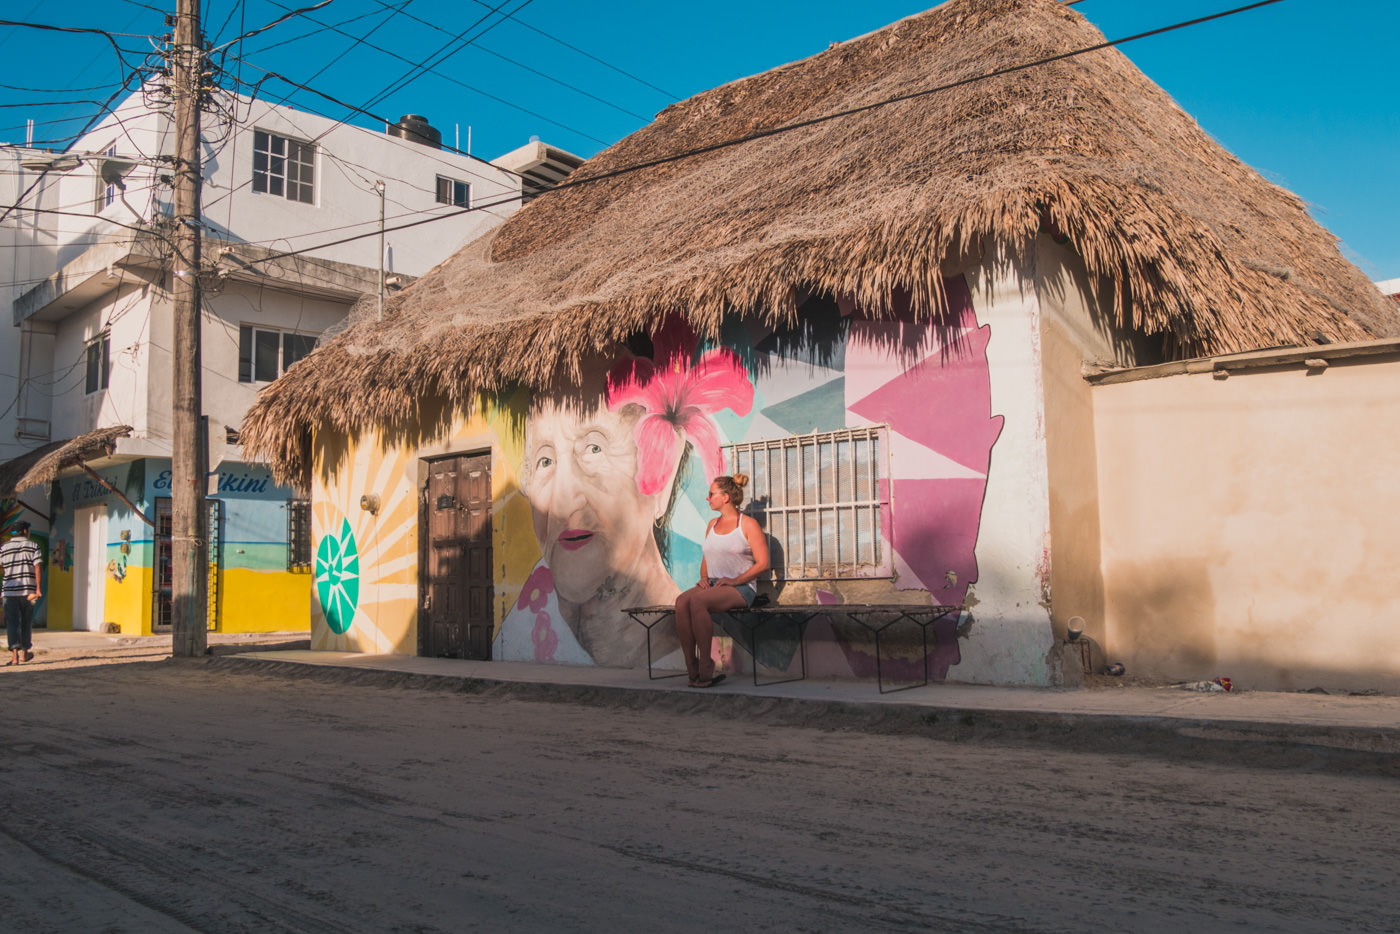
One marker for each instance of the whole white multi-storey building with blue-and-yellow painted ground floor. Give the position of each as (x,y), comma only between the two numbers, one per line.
(292,225)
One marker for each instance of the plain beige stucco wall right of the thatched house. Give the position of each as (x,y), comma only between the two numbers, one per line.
(1251,526)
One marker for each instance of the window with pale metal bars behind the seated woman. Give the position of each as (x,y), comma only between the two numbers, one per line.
(822,499)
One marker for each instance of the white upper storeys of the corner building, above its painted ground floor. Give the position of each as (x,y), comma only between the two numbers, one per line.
(86,254)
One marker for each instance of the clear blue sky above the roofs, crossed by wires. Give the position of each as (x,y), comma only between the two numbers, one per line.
(1304,90)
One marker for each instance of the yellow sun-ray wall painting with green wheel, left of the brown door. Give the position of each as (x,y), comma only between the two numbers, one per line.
(383,579)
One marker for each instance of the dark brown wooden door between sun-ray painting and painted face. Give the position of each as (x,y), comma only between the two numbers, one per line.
(457,592)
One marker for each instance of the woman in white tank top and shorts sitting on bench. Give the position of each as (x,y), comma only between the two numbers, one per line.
(736,554)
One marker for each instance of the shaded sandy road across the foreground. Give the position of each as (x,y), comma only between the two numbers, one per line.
(216,797)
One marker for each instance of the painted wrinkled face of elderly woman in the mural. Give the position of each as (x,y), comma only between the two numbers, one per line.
(582,482)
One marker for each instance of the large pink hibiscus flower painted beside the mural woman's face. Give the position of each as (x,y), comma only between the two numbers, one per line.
(680,401)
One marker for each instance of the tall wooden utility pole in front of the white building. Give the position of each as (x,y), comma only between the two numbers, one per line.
(190,452)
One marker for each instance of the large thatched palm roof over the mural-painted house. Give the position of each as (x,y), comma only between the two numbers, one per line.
(1195,246)
